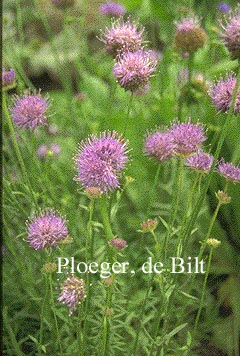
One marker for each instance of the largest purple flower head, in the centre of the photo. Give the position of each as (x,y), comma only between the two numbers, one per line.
(100,161)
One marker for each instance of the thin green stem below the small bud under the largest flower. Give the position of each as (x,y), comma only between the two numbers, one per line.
(88,257)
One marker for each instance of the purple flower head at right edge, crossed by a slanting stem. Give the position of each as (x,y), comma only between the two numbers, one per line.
(221,94)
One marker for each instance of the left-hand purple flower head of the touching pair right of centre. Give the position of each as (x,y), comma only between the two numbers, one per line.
(159,145)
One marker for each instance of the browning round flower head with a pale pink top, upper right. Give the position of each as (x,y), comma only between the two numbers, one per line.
(189,36)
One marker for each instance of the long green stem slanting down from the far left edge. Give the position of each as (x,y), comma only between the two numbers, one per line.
(17,150)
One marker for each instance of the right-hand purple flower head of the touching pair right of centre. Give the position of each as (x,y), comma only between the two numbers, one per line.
(187,138)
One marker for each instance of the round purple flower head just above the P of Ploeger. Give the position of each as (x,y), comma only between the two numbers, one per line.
(46,229)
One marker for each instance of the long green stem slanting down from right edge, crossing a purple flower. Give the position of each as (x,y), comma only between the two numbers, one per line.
(222,137)
